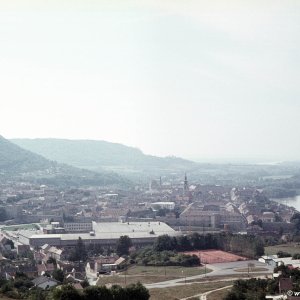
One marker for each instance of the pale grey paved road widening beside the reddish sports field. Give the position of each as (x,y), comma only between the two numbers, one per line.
(219,269)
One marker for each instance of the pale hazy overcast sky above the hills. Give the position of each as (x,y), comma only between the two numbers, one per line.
(204,80)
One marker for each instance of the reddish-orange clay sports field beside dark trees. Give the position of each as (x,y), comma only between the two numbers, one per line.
(215,256)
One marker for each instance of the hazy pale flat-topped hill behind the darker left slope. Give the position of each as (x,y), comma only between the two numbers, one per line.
(98,155)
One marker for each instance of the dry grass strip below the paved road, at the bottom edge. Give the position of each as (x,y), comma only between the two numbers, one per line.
(189,290)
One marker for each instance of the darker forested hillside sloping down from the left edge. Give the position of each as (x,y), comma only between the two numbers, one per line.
(18,162)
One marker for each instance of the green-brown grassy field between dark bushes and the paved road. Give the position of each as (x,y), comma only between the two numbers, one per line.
(151,274)
